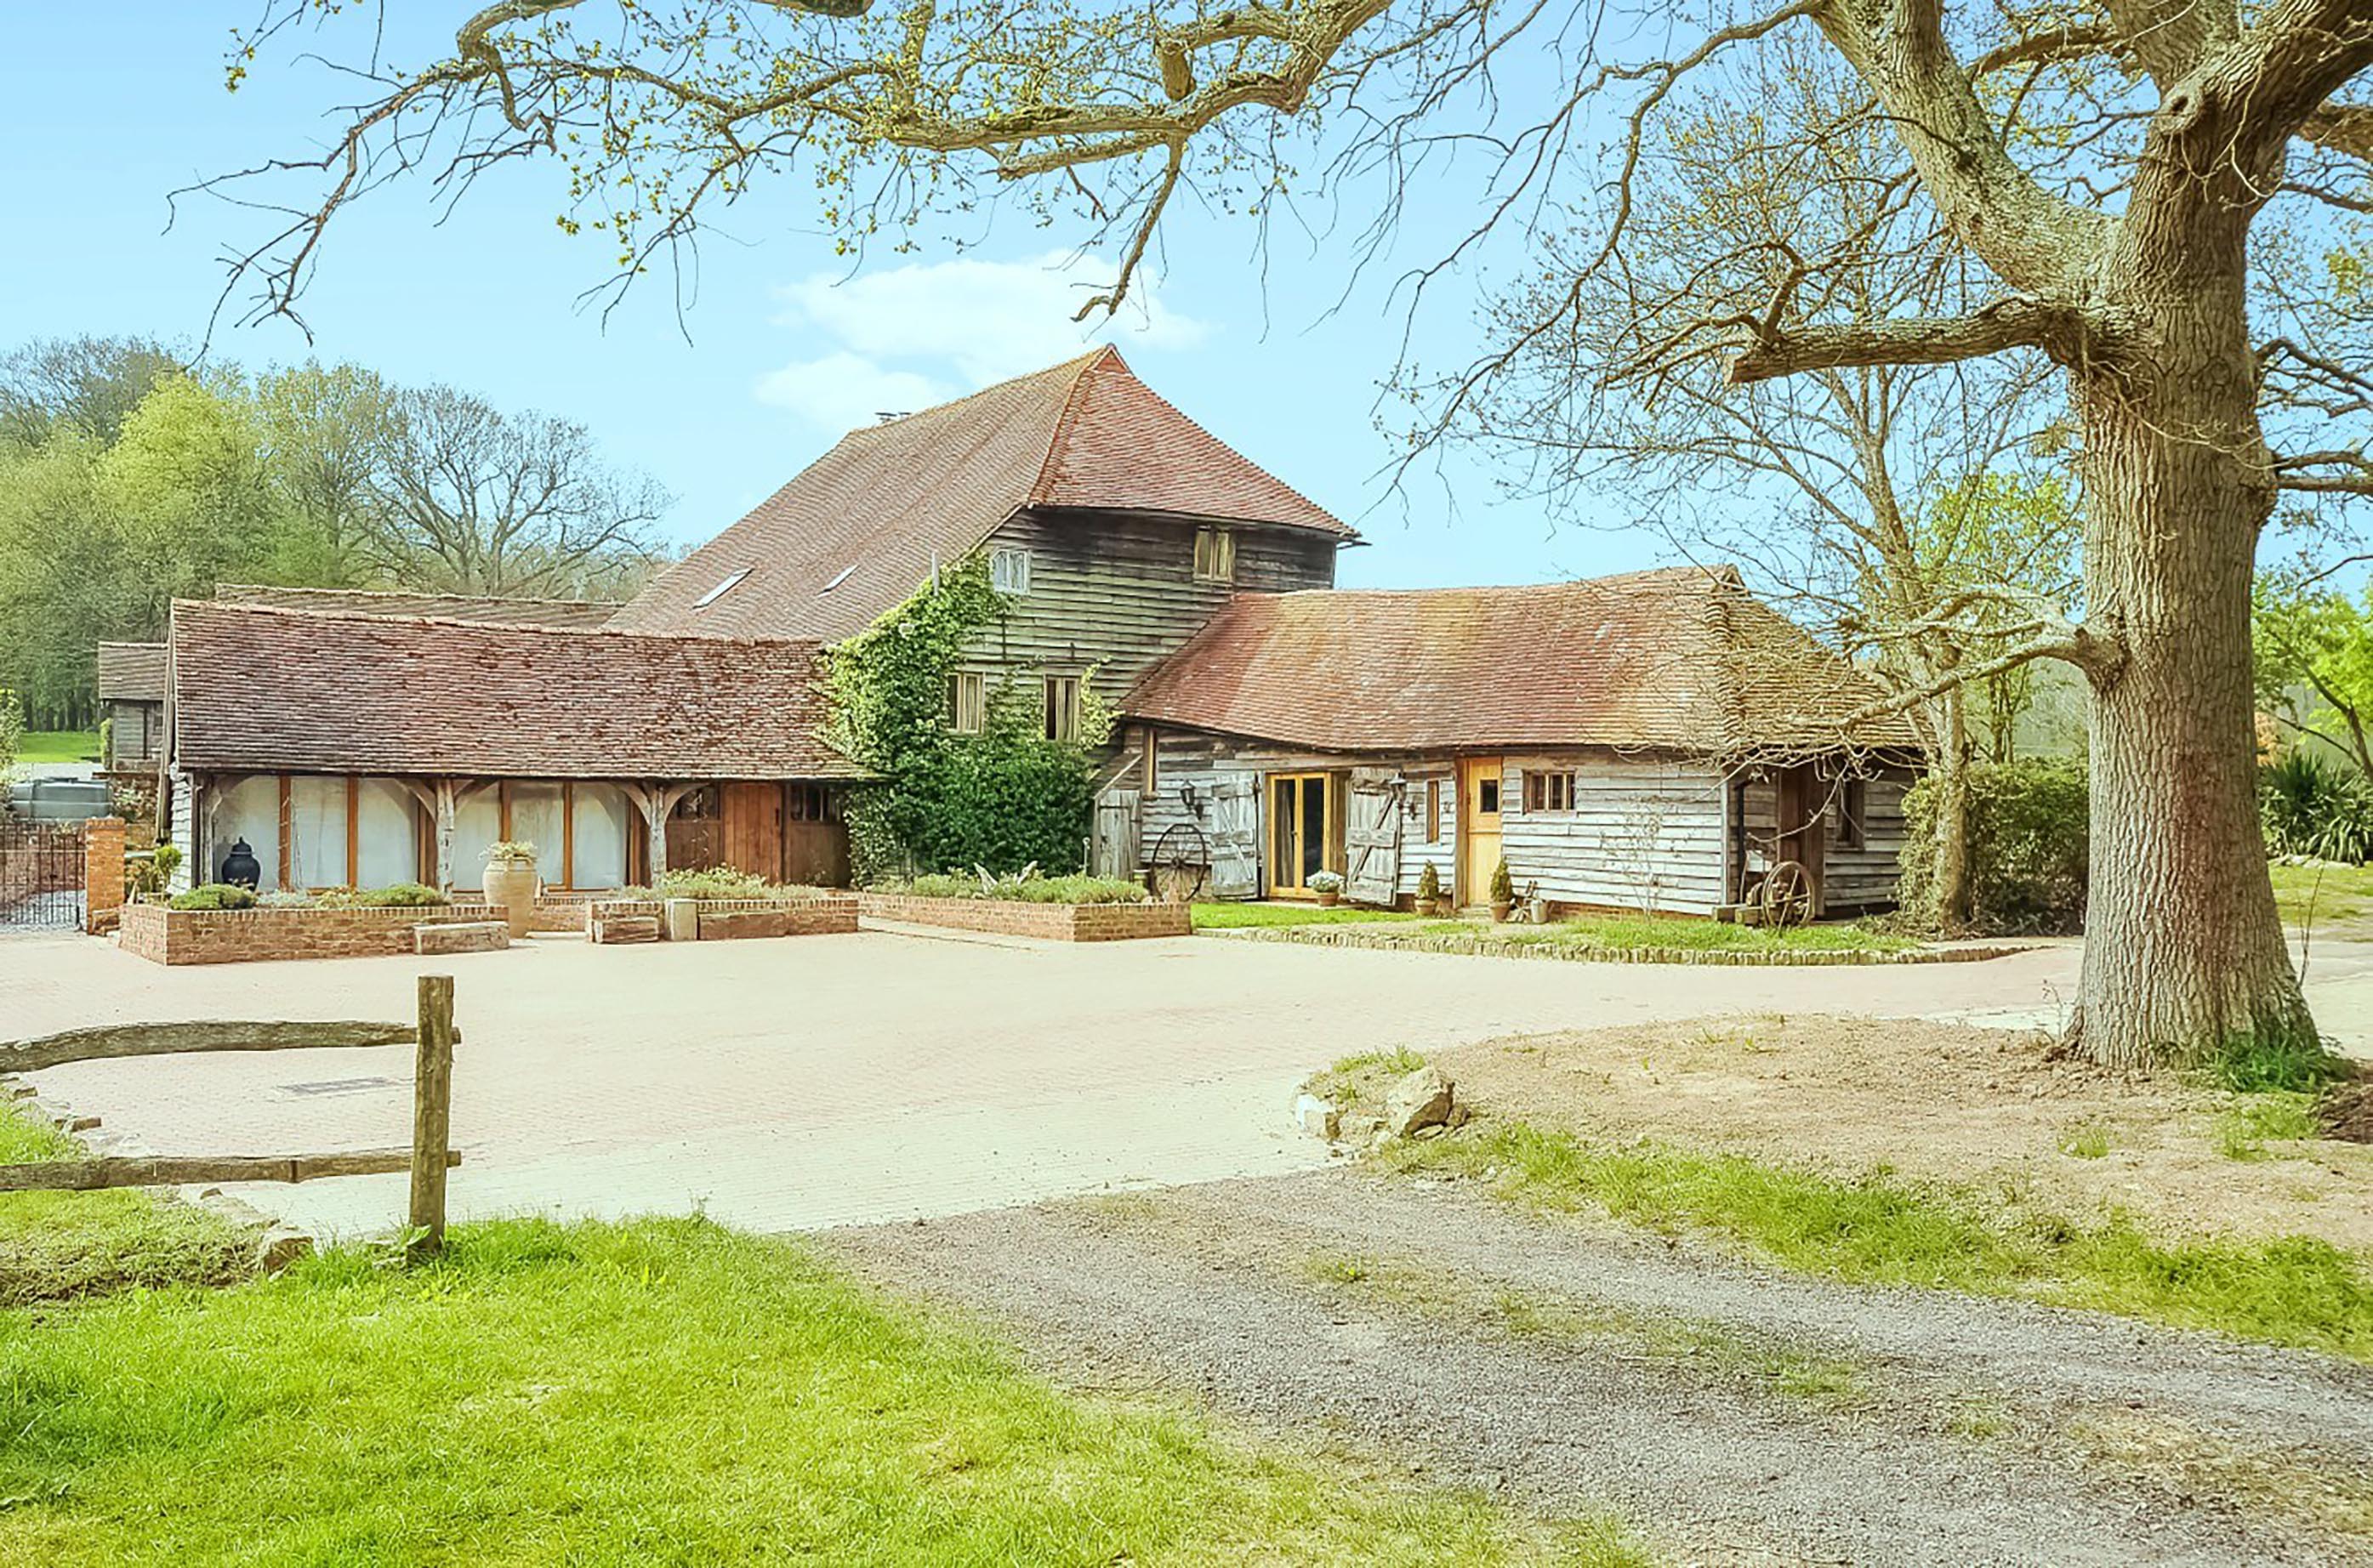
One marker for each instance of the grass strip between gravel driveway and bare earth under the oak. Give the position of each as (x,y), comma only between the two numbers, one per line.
(1883,1230)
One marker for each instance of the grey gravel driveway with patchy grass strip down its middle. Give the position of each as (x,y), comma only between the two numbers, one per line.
(1733,1415)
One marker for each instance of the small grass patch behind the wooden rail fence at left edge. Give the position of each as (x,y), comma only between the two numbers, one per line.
(65,1247)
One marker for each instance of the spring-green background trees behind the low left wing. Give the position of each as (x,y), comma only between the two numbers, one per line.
(132,478)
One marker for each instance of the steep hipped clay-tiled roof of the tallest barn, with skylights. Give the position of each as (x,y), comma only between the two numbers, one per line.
(860,528)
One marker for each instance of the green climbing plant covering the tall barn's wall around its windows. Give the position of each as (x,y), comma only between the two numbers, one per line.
(1003,798)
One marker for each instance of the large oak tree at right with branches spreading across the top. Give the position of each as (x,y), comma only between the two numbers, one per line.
(2104,165)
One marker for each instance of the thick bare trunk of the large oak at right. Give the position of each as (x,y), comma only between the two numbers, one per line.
(2184,950)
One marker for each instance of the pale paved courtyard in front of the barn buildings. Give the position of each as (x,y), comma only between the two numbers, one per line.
(886,1076)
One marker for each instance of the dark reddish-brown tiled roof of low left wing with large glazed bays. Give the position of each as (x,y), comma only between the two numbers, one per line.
(369,694)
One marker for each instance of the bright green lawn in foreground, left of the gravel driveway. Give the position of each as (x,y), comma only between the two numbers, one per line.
(642,1394)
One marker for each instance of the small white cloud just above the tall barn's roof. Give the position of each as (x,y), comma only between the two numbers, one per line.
(922,333)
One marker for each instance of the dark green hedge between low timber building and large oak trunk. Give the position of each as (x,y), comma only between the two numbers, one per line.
(2030,839)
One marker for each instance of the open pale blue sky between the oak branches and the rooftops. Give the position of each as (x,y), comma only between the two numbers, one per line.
(106,110)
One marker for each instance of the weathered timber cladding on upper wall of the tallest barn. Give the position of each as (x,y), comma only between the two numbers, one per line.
(1119,594)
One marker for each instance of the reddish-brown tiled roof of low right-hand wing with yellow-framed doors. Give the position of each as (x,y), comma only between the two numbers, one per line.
(1660,661)
